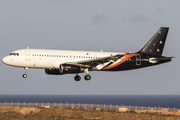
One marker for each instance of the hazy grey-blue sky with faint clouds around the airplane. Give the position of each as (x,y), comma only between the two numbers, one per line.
(89,25)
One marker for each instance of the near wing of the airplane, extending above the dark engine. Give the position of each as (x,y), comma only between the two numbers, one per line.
(94,62)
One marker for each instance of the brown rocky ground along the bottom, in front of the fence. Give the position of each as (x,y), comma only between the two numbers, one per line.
(34,113)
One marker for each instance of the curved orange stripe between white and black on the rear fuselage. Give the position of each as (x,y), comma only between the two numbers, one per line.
(122,61)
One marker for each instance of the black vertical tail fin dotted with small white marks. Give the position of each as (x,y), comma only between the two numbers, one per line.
(156,44)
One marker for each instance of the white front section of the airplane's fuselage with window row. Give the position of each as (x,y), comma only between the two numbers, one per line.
(50,59)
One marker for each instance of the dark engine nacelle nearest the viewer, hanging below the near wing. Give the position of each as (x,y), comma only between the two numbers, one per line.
(70,69)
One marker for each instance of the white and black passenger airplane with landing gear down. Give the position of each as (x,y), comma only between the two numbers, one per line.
(60,62)
